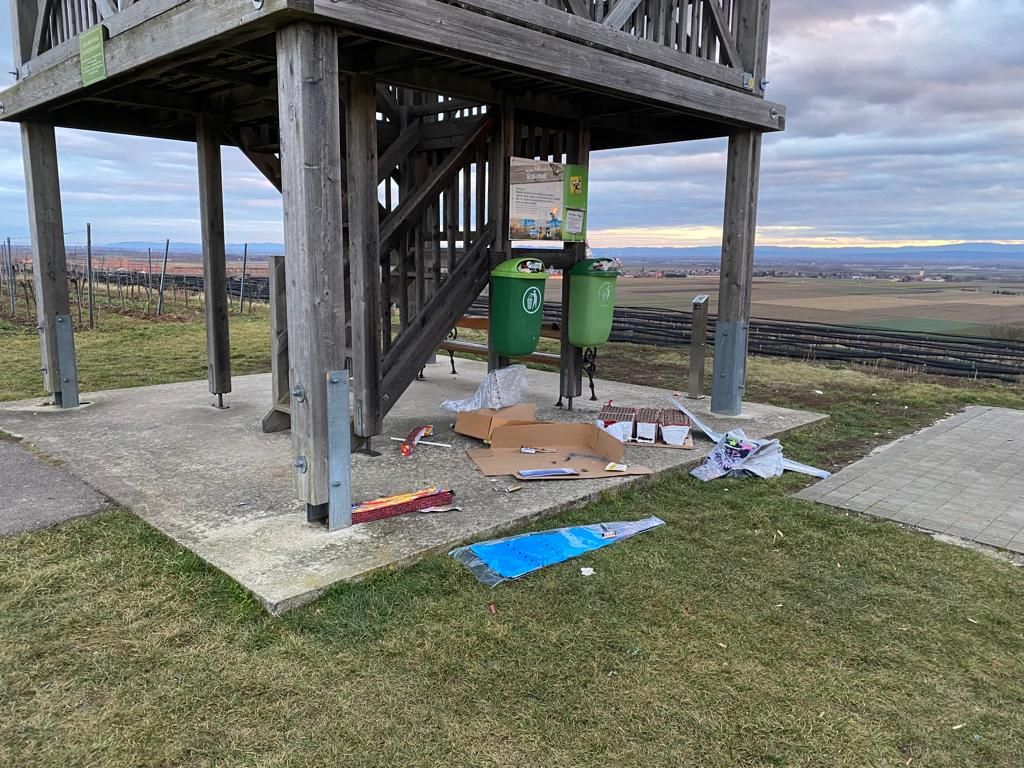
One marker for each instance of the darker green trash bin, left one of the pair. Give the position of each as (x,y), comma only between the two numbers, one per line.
(518,306)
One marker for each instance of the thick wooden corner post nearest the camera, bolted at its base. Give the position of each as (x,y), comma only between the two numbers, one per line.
(310,99)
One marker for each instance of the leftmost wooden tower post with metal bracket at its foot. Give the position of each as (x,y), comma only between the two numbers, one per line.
(50,260)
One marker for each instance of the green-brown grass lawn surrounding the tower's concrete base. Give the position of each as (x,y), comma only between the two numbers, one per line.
(753,630)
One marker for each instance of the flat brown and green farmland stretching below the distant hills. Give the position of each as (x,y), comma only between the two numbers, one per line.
(962,309)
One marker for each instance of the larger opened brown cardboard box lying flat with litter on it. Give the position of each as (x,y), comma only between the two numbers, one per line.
(580,447)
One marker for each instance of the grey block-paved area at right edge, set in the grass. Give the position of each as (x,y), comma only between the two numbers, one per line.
(963,477)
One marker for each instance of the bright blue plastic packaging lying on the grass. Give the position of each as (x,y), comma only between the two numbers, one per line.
(504,560)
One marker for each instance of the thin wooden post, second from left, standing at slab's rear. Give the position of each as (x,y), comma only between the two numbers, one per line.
(211,197)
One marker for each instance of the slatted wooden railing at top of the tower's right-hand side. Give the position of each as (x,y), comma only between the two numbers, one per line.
(705,29)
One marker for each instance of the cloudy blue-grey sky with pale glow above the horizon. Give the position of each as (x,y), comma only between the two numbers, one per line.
(906,125)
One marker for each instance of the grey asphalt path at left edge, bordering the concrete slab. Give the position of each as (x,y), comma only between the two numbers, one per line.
(37,495)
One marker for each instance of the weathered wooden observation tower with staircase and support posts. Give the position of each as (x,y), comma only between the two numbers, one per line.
(389,126)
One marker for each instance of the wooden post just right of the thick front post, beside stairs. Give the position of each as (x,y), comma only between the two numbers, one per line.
(364,254)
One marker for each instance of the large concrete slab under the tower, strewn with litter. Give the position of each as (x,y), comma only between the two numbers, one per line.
(216,484)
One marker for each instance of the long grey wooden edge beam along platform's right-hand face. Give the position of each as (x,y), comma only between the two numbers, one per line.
(482,38)
